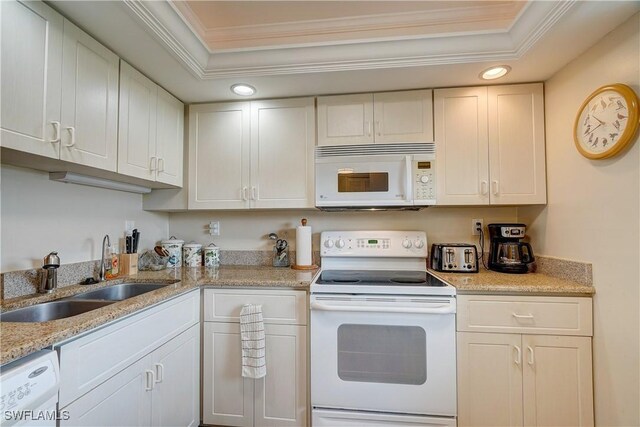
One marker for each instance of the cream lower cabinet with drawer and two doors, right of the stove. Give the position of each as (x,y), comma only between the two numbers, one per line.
(532,379)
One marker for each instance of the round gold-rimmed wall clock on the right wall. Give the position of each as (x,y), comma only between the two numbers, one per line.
(606,122)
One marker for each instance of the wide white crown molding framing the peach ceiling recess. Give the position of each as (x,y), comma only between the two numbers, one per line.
(166,22)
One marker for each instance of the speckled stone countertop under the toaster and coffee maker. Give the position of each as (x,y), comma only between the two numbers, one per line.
(492,282)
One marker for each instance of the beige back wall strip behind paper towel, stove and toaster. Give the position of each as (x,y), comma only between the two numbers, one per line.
(248,230)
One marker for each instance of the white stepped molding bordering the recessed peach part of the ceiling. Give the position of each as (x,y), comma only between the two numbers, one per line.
(534,21)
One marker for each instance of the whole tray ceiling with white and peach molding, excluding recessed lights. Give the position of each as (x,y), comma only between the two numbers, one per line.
(197,49)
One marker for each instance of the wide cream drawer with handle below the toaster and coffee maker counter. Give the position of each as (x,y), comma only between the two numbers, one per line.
(531,315)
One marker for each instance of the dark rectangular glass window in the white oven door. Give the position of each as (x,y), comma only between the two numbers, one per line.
(382,354)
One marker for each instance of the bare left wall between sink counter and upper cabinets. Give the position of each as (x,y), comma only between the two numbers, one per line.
(40,216)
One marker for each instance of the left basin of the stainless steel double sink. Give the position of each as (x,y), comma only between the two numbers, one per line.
(51,311)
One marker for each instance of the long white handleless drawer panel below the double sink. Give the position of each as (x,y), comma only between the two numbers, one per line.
(94,358)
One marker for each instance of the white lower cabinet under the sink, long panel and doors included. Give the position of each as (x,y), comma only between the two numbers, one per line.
(160,388)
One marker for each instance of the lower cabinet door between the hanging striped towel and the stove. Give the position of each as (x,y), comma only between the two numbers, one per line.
(281,396)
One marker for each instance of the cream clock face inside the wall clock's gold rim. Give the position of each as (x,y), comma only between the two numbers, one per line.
(603,121)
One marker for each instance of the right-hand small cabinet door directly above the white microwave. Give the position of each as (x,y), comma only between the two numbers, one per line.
(405,116)
